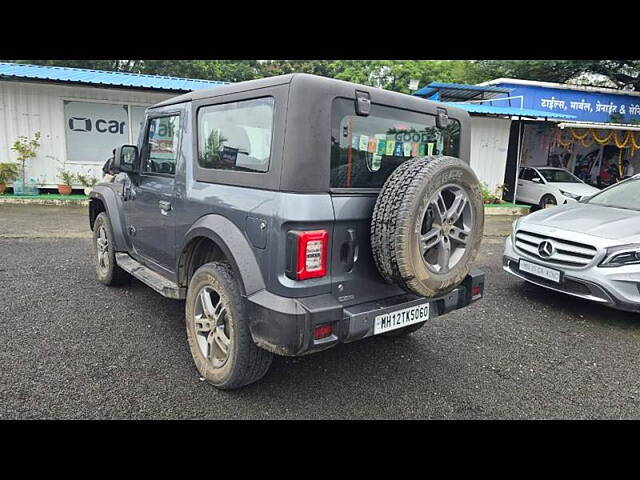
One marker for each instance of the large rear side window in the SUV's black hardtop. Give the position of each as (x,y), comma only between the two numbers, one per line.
(236,136)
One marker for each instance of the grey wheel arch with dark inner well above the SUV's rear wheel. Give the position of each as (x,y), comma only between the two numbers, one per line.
(228,243)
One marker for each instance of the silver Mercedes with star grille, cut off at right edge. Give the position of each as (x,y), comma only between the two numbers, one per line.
(589,249)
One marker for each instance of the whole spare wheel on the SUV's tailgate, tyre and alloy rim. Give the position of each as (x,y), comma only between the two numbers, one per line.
(427,225)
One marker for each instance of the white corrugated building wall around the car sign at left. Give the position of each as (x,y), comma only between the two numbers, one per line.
(27,108)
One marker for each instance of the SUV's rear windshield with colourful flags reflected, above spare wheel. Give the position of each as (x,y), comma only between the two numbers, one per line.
(366,150)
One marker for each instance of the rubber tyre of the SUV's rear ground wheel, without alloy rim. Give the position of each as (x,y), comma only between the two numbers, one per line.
(246,363)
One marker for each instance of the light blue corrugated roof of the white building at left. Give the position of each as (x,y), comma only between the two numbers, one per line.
(104,78)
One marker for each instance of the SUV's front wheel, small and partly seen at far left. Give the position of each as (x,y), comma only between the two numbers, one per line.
(107,270)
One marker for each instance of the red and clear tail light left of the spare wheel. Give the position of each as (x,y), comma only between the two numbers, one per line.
(307,254)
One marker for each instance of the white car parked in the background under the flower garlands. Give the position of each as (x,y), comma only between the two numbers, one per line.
(550,186)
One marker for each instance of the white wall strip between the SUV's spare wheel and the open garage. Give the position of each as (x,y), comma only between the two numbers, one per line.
(489,145)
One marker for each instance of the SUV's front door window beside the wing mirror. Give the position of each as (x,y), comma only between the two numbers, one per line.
(163,141)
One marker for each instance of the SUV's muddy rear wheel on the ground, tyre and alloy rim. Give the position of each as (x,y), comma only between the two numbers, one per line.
(218,330)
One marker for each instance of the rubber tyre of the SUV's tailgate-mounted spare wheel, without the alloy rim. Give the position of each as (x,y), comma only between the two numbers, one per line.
(398,215)
